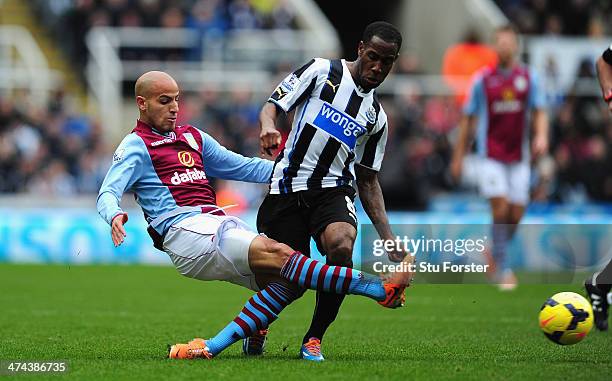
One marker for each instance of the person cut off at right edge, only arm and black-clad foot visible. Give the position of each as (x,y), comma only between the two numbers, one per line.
(598,286)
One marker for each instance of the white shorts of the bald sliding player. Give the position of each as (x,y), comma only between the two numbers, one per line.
(211,247)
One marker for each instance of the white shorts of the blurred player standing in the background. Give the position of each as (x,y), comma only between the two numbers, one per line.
(497,179)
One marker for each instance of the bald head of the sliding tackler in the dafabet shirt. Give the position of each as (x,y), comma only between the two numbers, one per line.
(157,99)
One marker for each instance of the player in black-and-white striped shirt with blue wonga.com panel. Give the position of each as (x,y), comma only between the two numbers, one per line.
(338,135)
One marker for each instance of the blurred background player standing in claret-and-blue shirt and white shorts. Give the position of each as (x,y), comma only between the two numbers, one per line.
(503,102)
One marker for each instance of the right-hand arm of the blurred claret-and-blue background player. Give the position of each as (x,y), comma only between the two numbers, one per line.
(539,117)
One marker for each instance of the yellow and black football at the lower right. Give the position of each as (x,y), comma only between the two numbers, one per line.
(566,318)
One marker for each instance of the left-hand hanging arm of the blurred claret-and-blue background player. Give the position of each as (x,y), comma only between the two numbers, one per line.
(466,127)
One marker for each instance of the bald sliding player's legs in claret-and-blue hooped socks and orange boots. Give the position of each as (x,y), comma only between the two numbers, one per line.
(263,308)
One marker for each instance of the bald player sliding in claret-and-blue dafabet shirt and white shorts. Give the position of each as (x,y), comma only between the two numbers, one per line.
(167,167)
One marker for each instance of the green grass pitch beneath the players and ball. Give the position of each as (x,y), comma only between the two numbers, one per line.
(113,322)
